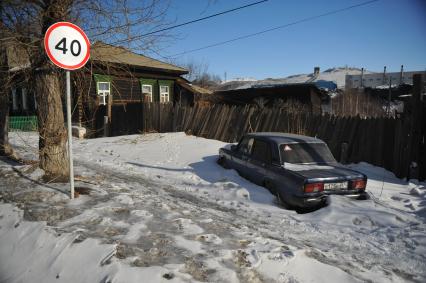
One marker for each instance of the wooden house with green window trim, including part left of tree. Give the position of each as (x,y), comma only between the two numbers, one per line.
(113,77)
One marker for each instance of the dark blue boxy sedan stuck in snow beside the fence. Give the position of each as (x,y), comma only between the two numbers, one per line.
(299,170)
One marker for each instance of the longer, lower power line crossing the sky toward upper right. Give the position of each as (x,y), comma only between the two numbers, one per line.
(275,28)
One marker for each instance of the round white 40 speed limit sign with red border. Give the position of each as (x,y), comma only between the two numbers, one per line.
(67,45)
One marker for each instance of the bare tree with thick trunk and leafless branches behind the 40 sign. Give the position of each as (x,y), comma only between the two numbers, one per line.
(117,22)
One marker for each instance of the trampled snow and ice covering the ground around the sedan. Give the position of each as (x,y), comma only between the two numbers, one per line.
(160,209)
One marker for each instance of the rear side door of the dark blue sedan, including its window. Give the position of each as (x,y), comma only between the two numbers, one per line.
(259,161)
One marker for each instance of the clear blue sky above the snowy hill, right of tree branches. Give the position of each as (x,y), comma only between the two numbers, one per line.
(386,32)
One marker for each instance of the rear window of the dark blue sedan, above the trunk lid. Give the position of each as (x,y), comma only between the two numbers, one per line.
(306,153)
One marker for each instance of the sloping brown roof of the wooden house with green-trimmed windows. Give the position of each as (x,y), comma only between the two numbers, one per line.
(107,53)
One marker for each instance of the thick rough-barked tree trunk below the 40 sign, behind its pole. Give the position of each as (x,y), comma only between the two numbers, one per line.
(53,135)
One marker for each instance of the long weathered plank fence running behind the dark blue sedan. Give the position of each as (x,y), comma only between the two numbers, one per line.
(379,141)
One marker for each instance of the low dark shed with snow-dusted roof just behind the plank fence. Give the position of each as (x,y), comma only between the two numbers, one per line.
(307,94)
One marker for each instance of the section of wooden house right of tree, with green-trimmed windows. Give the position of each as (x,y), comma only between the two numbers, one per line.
(116,76)
